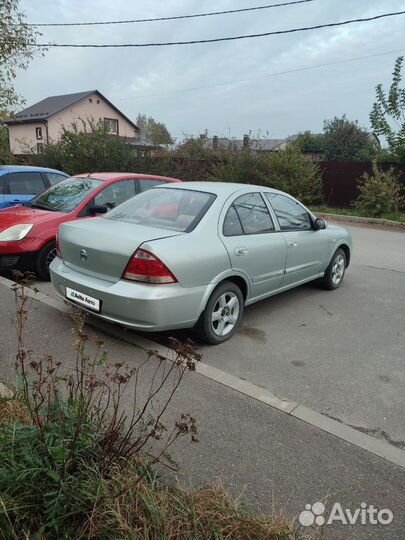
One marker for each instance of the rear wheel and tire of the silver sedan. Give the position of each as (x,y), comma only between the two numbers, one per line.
(222,314)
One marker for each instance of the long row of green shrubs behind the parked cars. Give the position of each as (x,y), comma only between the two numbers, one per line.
(91,149)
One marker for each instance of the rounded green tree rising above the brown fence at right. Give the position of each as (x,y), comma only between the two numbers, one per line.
(345,140)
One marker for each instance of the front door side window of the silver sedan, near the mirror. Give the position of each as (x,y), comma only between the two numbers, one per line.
(290,214)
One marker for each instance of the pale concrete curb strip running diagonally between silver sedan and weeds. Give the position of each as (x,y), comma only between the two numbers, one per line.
(348,434)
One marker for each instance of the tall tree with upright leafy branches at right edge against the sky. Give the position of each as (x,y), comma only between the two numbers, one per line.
(387,116)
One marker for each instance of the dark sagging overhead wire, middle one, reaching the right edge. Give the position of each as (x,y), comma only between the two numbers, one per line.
(213,40)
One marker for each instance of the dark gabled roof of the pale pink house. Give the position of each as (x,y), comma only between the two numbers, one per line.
(51,105)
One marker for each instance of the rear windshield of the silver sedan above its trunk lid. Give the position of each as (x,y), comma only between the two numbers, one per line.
(172,209)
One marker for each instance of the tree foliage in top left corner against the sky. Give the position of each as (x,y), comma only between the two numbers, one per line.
(17,41)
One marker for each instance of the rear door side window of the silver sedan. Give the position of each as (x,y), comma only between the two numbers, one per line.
(248,215)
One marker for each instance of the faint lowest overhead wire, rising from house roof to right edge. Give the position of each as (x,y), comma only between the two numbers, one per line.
(275,74)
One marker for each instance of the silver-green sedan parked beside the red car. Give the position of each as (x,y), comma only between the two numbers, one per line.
(194,255)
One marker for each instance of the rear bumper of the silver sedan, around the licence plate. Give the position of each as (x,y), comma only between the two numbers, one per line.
(135,305)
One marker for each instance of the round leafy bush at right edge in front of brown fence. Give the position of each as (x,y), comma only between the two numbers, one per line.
(380,193)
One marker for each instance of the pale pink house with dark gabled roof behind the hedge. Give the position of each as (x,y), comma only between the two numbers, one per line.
(43,122)
